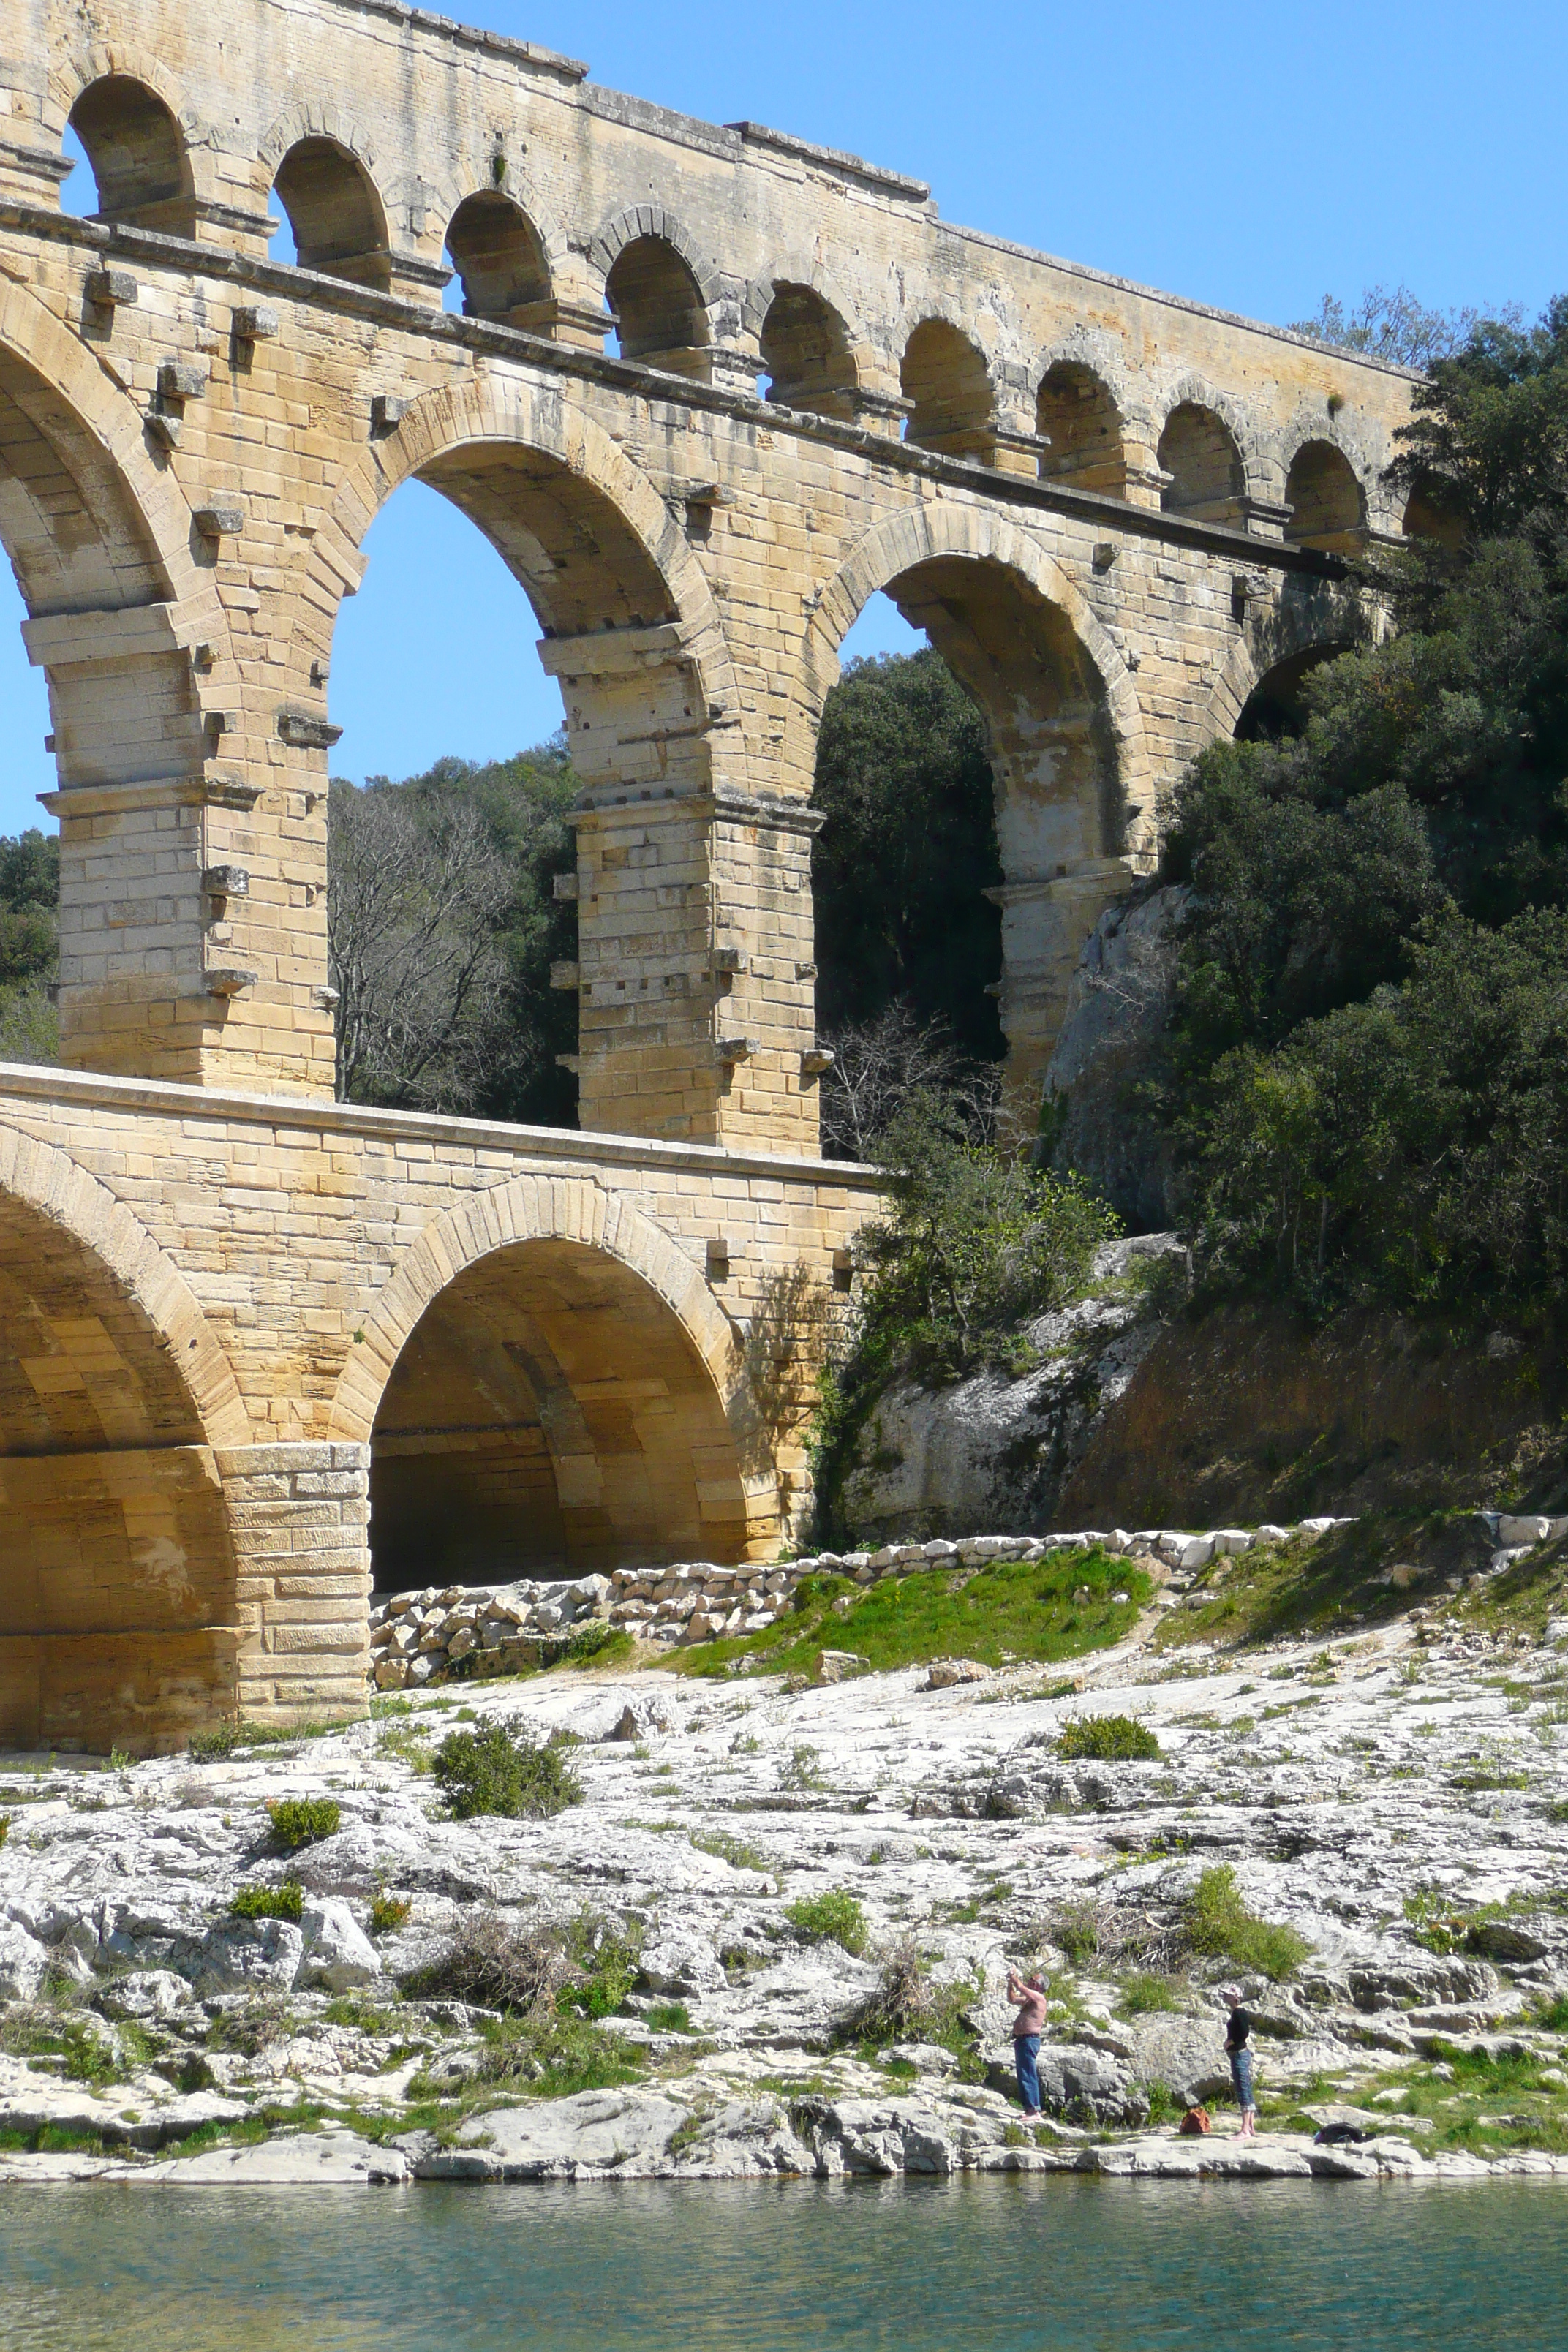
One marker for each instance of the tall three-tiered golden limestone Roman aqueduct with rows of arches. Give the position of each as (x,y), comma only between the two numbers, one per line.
(706,394)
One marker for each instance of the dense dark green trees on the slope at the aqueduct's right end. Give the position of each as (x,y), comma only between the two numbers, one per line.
(1367,1041)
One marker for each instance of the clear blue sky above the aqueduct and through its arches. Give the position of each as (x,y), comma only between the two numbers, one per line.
(1254,156)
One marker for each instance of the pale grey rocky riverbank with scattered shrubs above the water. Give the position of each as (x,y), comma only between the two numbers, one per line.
(810,1897)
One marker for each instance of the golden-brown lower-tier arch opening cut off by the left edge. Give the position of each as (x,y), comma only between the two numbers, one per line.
(116,1570)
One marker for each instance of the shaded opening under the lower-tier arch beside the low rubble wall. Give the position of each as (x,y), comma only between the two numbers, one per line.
(549,1415)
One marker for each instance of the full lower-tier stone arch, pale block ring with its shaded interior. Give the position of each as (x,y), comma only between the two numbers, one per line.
(549,1387)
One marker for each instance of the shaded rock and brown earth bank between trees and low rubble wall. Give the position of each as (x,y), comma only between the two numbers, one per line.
(1240,1417)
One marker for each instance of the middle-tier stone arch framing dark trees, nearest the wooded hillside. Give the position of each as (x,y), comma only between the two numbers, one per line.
(1076,789)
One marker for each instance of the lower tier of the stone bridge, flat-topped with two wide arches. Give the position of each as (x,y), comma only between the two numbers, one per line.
(241,1337)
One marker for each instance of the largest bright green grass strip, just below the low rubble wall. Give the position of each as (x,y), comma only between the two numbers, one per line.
(1000,1615)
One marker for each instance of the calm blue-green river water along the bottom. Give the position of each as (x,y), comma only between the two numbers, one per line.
(967,2266)
